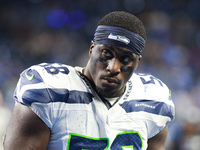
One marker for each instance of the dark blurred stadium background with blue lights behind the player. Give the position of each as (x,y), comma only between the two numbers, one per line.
(36,31)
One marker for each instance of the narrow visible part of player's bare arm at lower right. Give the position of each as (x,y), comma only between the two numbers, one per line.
(158,142)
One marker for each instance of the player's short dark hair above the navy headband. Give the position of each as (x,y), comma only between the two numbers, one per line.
(124,20)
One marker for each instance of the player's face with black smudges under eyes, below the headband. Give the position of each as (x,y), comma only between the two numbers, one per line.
(110,67)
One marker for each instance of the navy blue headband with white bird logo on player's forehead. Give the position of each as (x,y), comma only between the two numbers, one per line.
(110,35)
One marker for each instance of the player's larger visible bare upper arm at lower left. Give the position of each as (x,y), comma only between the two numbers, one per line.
(26,131)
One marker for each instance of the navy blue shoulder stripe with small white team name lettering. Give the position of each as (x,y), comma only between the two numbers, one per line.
(150,106)
